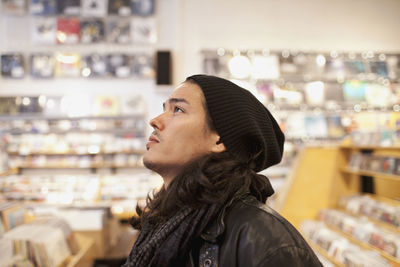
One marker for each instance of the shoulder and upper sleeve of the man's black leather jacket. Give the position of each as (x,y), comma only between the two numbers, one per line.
(255,233)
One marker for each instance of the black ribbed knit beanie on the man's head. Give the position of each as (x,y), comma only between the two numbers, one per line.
(244,124)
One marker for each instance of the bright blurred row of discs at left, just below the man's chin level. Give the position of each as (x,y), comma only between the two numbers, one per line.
(79,189)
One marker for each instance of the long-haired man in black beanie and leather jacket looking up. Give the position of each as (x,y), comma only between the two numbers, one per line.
(208,145)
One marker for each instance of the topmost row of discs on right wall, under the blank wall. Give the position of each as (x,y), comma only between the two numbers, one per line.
(300,66)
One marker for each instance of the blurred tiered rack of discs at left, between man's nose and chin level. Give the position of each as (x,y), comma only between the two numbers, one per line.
(32,145)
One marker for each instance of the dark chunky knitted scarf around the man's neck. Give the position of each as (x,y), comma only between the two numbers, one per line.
(168,244)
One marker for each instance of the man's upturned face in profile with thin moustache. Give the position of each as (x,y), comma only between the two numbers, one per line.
(180,133)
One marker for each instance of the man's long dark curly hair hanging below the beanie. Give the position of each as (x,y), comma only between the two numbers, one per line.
(211,179)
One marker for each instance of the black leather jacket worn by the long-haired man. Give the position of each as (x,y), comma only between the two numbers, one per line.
(251,234)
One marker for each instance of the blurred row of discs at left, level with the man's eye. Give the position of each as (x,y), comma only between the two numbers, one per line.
(69,107)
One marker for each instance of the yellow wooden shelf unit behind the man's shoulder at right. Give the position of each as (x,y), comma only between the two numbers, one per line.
(320,176)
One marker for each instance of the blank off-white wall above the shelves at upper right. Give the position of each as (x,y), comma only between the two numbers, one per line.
(324,25)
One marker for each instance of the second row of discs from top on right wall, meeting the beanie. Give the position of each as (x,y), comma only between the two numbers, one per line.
(326,94)
